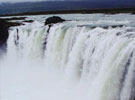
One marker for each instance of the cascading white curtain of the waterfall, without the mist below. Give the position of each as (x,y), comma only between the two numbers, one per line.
(102,61)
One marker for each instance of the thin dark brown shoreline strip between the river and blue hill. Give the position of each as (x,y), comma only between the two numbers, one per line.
(83,11)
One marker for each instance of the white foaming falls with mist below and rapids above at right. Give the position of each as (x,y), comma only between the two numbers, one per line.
(77,63)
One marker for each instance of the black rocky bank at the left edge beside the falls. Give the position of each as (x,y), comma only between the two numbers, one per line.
(4,27)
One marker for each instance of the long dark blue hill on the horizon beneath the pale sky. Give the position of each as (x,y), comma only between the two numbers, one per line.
(14,8)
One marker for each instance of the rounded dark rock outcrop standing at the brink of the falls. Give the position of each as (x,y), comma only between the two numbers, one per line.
(53,20)
